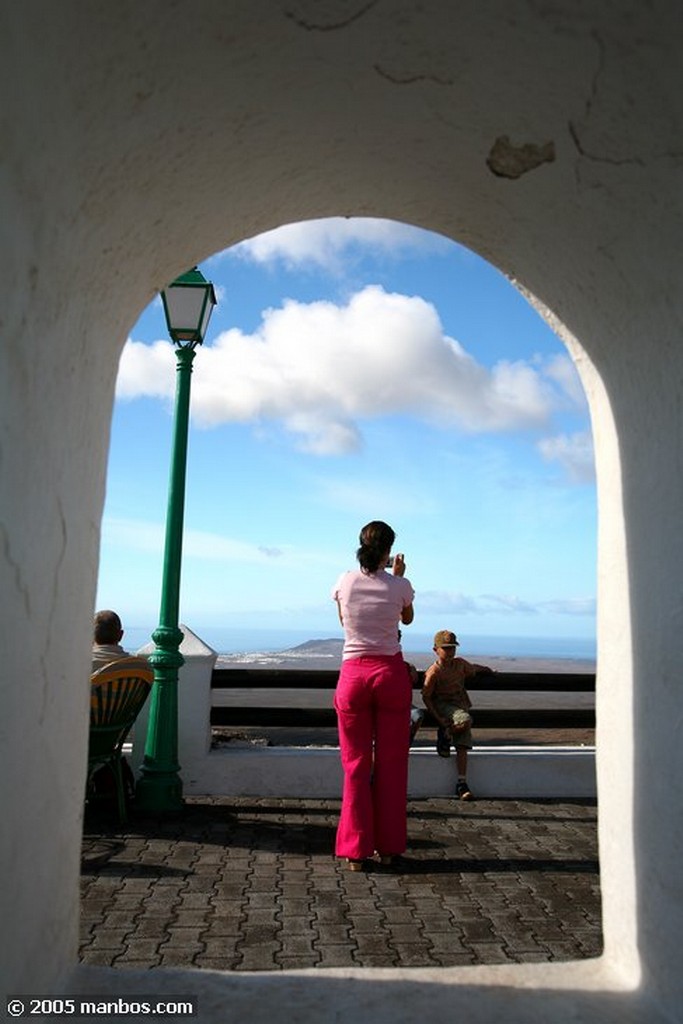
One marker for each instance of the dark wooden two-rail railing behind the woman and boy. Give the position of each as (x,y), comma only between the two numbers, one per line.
(503,717)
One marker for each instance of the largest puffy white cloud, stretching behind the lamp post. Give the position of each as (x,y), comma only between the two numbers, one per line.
(320,369)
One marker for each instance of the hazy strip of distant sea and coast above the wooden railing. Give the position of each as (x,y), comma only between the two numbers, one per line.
(239,647)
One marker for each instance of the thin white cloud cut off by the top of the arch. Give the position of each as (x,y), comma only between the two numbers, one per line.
(322,243)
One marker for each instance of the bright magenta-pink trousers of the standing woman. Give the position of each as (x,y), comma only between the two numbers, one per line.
(373,703)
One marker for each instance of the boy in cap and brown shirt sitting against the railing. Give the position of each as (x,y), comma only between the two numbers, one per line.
(445,695)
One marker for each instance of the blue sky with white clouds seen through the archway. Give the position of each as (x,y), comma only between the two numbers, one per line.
(358,370)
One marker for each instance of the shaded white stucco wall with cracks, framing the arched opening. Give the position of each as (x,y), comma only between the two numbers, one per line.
(139,139)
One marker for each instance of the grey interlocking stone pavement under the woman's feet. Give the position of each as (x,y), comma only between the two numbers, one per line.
(251,884)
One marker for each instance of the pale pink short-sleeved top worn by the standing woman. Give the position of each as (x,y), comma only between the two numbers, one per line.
(371,606)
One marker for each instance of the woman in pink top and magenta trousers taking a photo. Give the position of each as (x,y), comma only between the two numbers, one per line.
(373,702)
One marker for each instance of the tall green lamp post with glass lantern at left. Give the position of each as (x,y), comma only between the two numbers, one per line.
(189,303)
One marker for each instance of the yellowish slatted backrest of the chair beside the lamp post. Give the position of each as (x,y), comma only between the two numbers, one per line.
(117,695)
